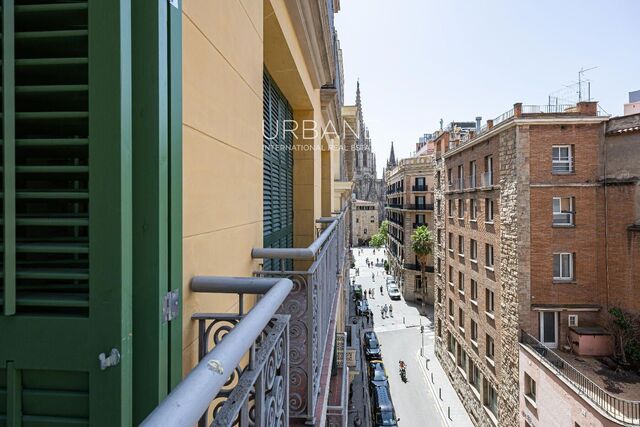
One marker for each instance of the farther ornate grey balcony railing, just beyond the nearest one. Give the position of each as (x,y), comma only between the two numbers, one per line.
(312,306)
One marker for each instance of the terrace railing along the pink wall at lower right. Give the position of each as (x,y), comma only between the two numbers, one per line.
(624,411)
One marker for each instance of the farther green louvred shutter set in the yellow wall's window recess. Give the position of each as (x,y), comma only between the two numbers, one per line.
(277,172)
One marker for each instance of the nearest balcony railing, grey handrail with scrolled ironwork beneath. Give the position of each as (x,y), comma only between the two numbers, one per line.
(260,392)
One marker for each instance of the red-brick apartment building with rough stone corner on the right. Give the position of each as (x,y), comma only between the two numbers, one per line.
(522,245)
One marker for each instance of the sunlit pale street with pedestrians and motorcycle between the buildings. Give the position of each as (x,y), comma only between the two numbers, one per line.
(399,337)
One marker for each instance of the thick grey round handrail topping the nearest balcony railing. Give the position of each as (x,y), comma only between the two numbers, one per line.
(193,395)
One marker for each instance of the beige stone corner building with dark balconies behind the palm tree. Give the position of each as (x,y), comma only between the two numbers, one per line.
(410,205)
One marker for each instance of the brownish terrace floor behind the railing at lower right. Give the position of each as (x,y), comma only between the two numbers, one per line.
(622,384)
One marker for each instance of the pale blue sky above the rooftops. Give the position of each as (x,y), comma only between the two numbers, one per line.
(422,60)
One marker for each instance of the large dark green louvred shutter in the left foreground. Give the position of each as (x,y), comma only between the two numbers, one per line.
(66,147)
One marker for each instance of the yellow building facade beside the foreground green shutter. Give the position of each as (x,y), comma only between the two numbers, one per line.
(228,49)
